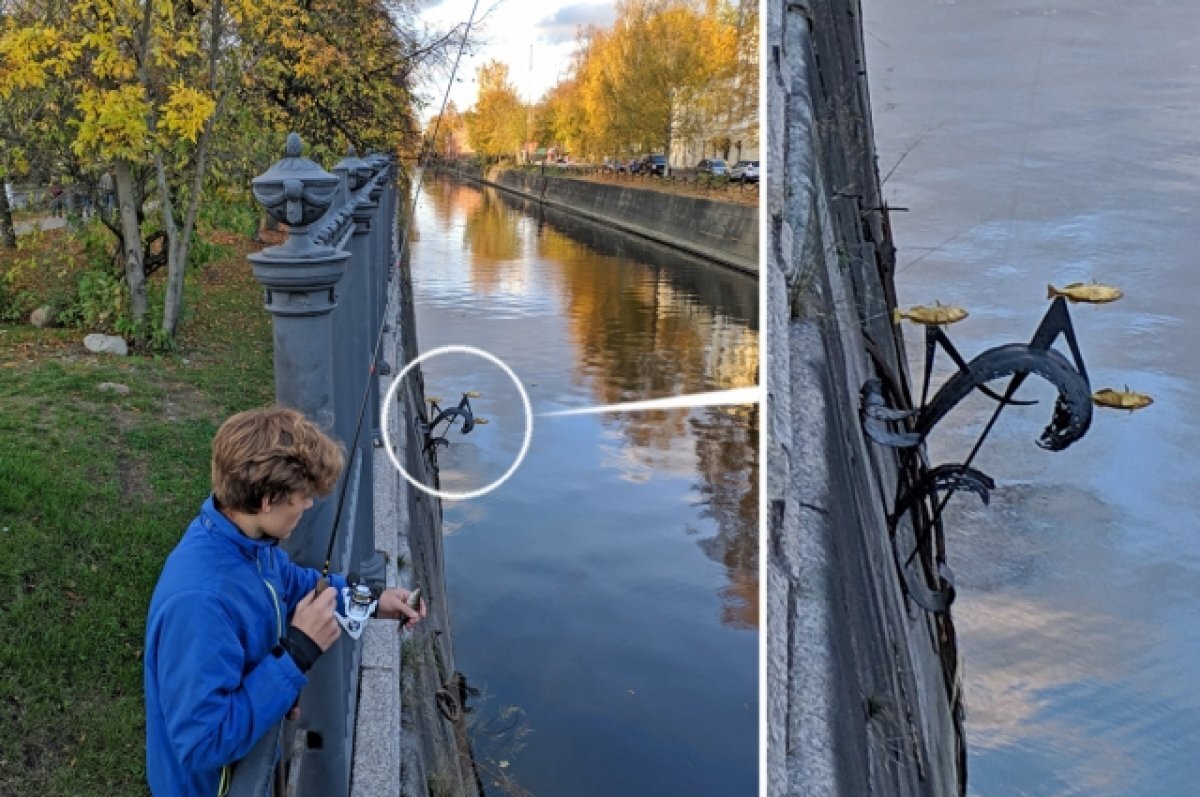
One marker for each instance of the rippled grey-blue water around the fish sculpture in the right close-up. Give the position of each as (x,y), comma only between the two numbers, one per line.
(1051,142)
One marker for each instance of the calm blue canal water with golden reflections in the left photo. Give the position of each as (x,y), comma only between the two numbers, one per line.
(605,598)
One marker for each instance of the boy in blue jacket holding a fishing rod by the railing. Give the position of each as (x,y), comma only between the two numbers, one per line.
(233,625)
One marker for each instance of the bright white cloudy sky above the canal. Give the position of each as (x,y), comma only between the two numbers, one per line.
(508,31)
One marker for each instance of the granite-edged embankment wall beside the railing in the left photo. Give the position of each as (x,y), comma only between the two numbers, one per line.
(411,736)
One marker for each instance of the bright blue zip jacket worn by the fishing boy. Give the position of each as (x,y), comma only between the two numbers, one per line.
(215,680)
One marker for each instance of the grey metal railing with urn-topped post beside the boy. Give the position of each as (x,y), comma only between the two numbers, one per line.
(327,291)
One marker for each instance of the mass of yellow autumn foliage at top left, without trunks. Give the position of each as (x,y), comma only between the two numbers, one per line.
(298,63)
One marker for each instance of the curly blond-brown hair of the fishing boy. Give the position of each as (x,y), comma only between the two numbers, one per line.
(272,453)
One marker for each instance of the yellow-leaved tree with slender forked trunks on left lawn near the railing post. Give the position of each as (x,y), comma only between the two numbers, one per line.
(146,82)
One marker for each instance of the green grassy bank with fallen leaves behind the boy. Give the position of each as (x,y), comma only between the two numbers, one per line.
(95,489)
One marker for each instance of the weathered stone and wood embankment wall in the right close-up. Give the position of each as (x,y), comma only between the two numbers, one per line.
(863,694)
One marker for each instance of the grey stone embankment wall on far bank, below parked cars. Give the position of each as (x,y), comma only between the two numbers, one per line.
(717,231)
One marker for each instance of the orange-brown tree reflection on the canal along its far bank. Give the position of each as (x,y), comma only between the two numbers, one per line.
(646,335)
